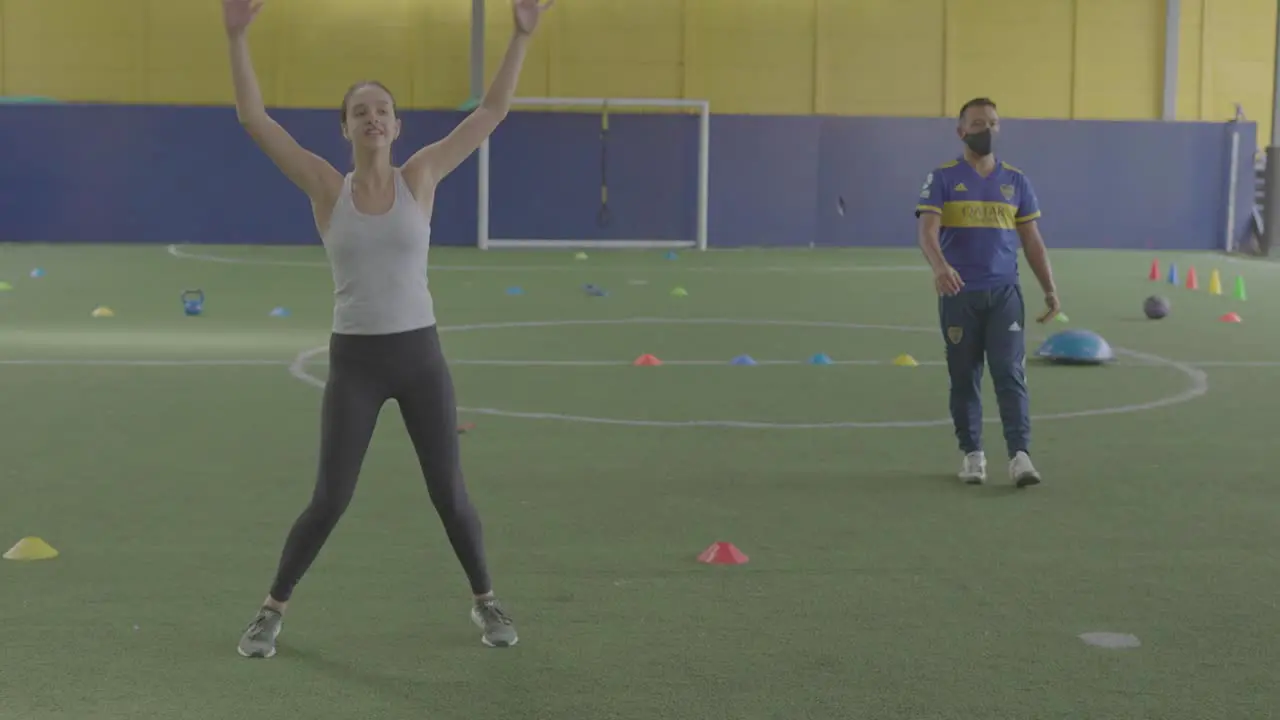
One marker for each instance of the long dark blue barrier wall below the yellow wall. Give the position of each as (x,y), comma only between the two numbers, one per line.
(76,174)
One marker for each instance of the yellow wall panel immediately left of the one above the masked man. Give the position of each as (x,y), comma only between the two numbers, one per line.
(880,58)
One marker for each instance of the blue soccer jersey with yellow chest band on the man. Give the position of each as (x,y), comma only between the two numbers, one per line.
(980,220)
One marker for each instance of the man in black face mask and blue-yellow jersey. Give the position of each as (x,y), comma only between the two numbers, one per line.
(975,213)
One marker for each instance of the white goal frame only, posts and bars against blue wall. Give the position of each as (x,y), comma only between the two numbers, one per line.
(486,243)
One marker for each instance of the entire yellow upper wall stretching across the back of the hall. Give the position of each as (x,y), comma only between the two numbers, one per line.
(1036,58)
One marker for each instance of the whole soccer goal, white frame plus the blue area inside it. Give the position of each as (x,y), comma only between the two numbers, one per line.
(597,172)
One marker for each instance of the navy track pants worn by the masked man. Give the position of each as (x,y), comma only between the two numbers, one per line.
(986,326)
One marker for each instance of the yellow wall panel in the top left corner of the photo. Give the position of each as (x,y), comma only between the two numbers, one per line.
(76,51)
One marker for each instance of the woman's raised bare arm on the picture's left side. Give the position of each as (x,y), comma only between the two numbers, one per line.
(308,171)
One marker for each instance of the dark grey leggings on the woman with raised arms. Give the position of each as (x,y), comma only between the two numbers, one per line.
(364,373)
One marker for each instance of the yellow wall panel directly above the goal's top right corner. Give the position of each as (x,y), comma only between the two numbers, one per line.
(752,56)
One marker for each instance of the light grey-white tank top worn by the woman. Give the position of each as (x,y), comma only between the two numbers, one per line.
(380,266)
